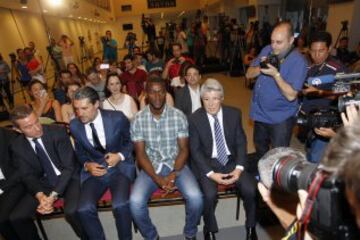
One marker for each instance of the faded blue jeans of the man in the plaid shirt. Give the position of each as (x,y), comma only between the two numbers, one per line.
(144,186)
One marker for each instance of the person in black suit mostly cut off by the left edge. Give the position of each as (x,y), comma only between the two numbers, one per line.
(11,189)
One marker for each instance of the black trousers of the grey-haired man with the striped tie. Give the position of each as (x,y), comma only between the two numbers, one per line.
(246,186)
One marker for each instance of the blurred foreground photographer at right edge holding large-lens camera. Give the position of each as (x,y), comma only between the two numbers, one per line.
(330,187)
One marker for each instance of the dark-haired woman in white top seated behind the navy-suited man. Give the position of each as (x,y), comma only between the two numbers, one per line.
(116,100)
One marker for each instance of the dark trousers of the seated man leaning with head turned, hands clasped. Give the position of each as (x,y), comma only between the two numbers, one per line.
(22,216)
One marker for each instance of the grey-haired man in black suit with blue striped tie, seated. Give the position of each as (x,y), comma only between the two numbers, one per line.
(218,153)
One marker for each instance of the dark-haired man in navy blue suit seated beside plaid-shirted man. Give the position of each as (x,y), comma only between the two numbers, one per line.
(104,148)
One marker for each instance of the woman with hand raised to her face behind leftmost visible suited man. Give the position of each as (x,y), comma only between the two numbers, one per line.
(42,104)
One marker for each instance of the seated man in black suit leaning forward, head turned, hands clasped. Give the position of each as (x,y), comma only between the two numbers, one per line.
(47,165)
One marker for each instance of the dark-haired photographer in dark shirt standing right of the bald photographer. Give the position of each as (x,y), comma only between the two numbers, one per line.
(314,99)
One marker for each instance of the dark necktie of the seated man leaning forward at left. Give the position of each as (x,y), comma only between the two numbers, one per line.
(45,163)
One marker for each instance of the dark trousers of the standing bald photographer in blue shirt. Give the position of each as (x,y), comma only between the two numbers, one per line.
(274,135)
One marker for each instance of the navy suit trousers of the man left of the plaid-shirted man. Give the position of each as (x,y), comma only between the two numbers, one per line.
(91,191)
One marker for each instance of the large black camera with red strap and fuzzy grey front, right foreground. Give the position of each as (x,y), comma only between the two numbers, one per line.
(288,170)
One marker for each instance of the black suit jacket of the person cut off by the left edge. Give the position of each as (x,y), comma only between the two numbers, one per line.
(7,165)
